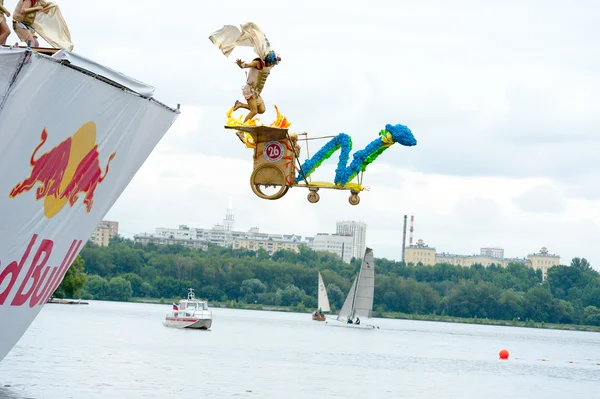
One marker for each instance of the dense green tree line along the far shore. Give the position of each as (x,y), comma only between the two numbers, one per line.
(124,270)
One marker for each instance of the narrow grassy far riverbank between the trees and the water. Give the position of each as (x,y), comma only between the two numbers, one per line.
(390,315)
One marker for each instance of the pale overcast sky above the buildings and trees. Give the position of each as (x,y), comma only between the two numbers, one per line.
(502,97)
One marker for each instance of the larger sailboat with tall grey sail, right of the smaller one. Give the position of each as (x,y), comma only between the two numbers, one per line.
(359,302)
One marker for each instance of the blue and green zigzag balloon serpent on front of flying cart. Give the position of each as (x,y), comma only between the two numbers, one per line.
(344,173)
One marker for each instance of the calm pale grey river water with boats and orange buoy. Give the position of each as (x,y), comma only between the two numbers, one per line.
(121,350)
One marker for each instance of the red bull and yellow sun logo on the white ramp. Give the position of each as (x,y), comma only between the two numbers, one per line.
(66,171)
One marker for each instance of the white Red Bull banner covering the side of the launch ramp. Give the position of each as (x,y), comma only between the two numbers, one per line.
(69,145)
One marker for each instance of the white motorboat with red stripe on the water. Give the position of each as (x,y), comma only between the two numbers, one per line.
(190,313)
